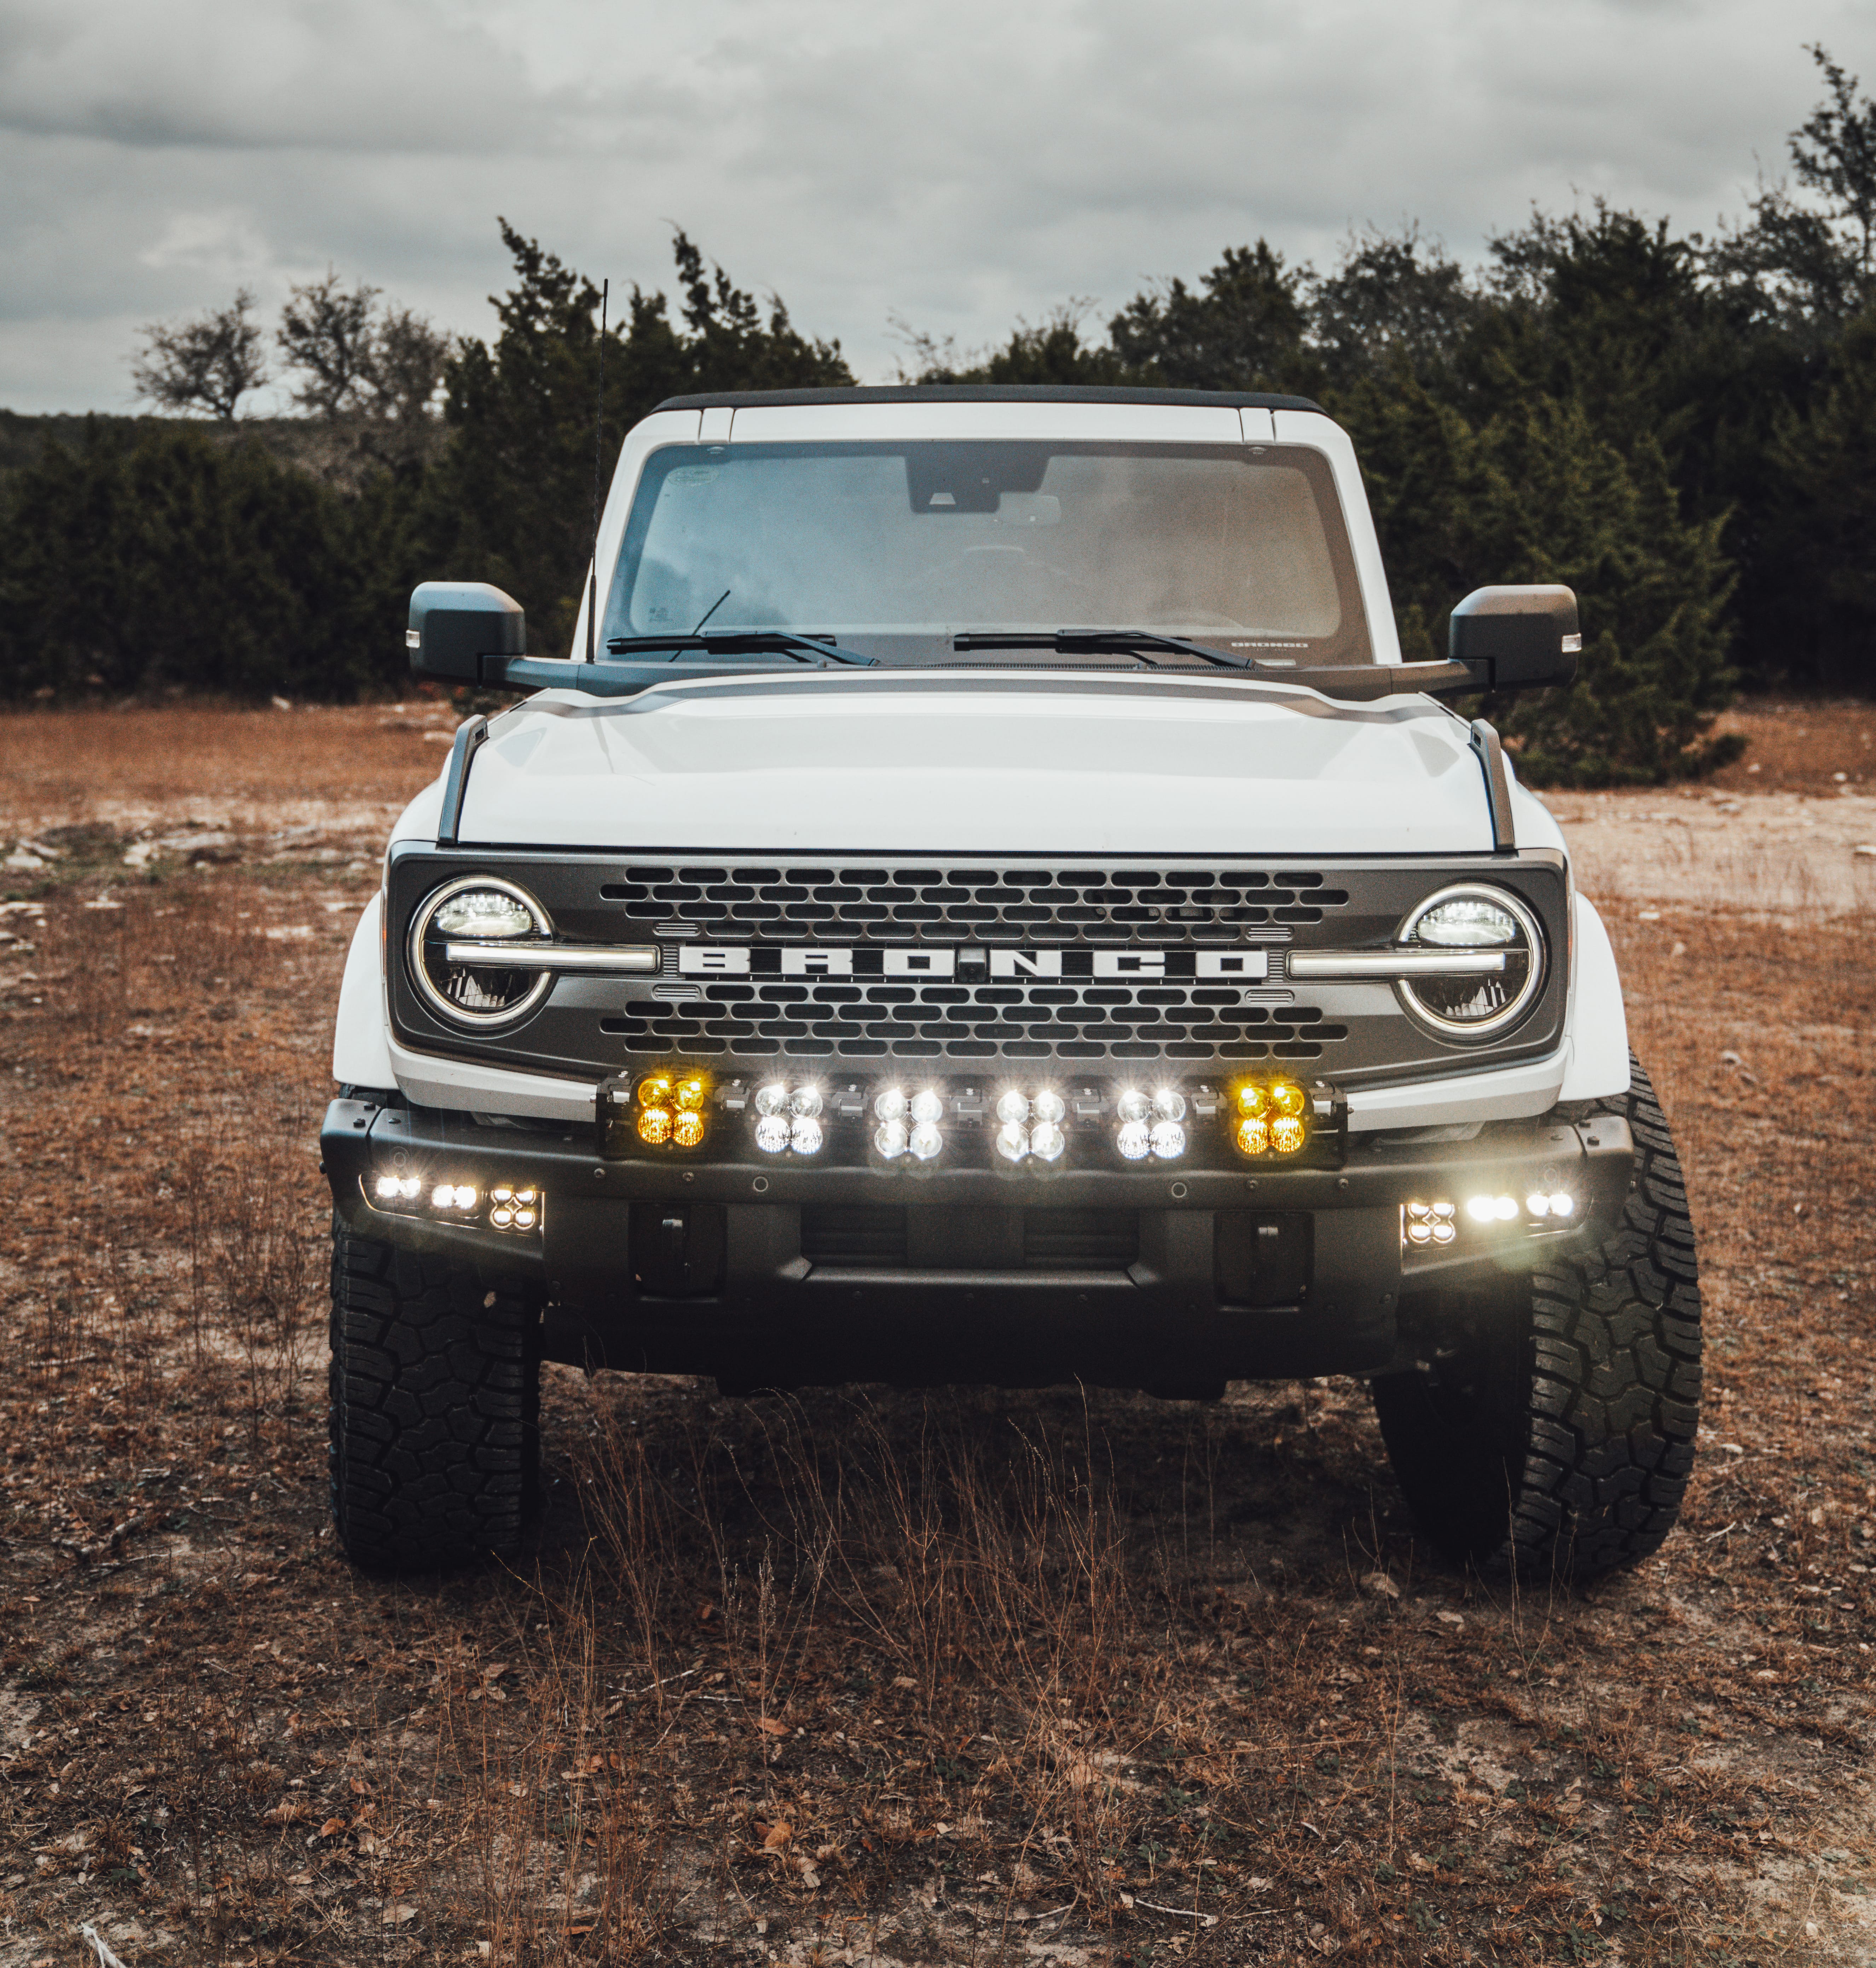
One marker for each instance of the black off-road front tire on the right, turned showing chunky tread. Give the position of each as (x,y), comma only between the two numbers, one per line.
(1552,1432)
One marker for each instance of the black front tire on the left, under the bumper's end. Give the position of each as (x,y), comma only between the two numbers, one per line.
(436,1394)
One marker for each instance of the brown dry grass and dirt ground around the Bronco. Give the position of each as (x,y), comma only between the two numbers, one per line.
(867,1676)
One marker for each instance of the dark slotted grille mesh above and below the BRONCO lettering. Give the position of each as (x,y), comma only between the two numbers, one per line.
(973,1016)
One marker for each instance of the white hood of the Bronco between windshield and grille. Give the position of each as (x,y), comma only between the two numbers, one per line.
(920,763)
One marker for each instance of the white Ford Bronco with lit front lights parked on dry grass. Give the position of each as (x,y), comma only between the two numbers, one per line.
(985,900)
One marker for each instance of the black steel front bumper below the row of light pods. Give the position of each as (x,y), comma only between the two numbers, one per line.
(788,1272)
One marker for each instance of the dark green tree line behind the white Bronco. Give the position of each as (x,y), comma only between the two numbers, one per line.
(1678,426)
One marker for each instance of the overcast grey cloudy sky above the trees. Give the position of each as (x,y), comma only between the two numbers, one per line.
(956,164)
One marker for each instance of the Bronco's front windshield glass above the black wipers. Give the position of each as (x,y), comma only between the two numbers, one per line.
(893,550)
